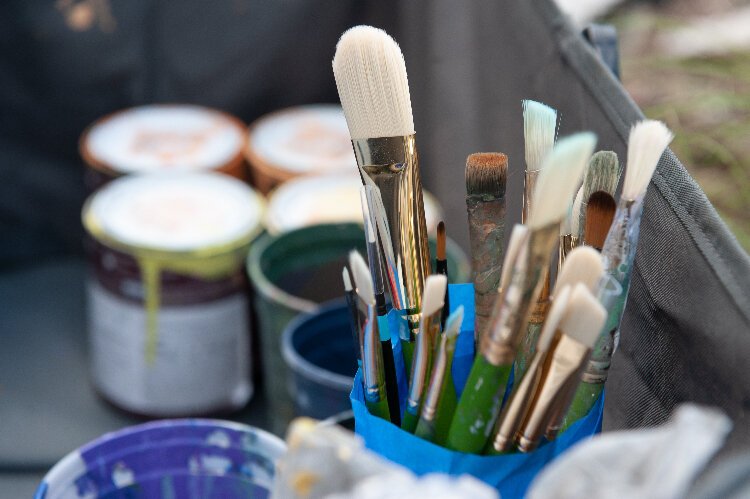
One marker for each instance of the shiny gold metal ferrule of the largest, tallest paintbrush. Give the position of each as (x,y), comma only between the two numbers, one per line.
(392,164)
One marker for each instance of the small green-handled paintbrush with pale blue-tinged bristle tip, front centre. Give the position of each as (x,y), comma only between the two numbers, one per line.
(440,399)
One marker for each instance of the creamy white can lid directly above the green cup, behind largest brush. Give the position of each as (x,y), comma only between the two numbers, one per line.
(329,198)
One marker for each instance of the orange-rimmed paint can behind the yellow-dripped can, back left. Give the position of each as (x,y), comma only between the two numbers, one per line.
(163,138)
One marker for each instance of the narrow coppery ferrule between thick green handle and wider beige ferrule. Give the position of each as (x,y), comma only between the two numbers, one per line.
(510,420)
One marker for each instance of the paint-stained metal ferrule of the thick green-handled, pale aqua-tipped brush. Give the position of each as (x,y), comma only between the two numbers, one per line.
(515,305)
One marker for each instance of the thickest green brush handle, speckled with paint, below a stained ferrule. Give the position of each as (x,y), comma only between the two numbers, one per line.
(478,407)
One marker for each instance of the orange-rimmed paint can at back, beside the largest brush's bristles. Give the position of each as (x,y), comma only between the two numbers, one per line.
(297,141)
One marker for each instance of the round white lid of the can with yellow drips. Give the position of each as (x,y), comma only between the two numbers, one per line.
(175,212)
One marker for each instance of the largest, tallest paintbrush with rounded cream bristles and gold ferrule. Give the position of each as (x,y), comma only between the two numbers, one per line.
(372,84)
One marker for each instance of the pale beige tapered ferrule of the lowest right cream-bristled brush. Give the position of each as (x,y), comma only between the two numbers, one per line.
(567,361)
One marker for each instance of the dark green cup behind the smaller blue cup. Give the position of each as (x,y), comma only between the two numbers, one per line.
(294,272)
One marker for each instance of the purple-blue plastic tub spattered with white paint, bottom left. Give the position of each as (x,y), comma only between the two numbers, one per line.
(187,458)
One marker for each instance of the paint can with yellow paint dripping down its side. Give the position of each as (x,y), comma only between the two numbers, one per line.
(168,299)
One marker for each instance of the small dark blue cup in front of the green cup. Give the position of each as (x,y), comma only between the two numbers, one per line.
(320,353)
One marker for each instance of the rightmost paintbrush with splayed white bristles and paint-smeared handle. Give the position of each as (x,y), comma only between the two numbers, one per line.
(647,142)
